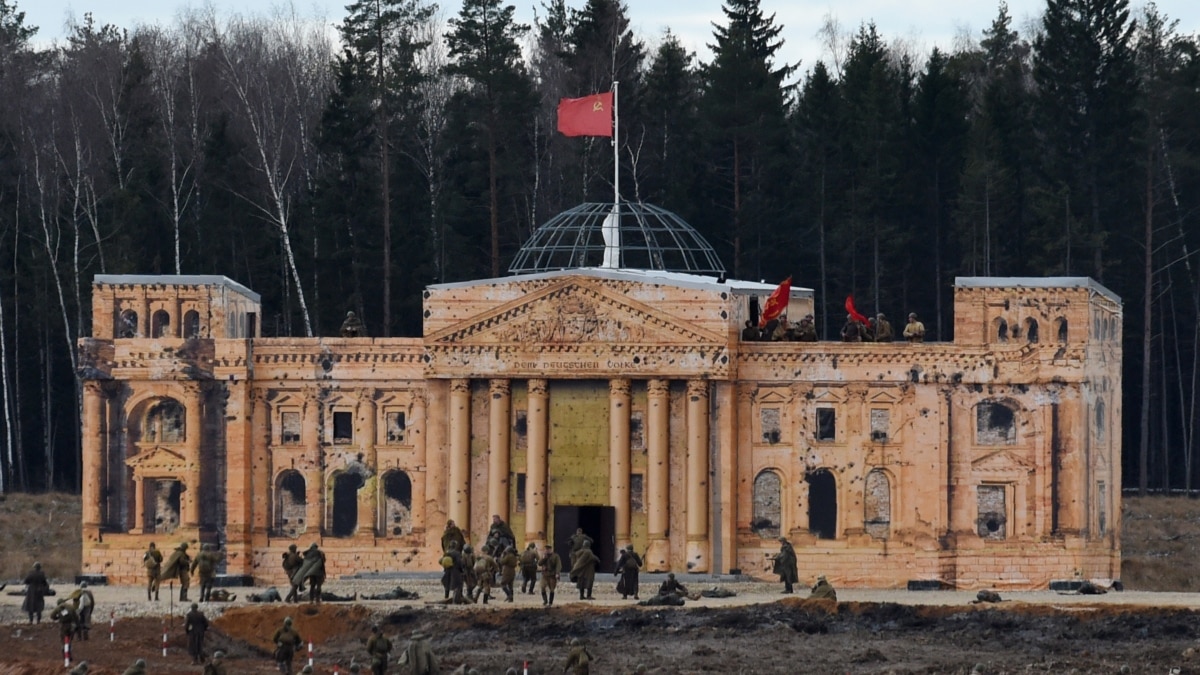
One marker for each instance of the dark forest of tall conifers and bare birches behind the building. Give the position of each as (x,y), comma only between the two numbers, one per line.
(418,146)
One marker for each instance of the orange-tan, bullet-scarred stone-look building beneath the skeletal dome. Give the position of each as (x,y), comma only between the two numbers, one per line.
(622,402)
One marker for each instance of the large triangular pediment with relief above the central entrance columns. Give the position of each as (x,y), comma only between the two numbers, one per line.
(572,313)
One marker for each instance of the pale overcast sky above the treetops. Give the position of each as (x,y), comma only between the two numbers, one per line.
(922,25)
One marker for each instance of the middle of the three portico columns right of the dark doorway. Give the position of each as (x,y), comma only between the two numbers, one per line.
(658,475)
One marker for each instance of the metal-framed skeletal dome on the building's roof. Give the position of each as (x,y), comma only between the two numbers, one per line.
(651,238)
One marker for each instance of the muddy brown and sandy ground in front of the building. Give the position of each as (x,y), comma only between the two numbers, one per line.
(759,631)
